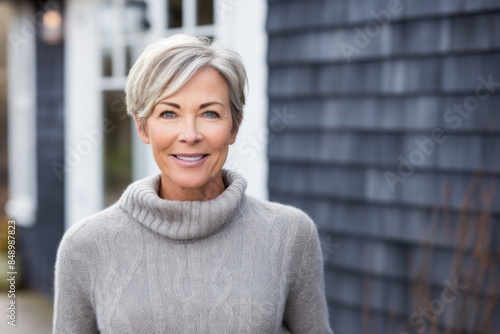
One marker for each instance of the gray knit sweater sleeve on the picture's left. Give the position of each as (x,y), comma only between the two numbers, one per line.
(73,310)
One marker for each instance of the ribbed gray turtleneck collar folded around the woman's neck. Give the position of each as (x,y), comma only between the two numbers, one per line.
(182,220)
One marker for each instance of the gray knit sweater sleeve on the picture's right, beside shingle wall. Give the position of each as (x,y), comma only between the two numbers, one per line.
(306,308)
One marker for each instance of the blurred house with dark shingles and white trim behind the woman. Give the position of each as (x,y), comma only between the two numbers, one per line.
(378,118)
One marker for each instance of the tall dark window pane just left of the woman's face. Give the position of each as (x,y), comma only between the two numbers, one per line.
(117,146)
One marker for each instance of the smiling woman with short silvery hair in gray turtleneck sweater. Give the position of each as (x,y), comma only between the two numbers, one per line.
(186,251)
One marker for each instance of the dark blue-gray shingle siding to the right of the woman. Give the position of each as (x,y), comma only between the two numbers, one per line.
(354,118)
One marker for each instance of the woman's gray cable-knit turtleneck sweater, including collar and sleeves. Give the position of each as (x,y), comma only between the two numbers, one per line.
(233,264)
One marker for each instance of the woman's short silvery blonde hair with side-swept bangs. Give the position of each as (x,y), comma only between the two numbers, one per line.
(167,65)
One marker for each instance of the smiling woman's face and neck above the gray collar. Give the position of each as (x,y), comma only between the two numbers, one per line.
(190,133)
